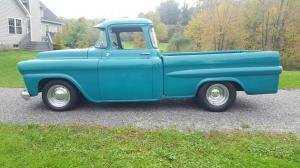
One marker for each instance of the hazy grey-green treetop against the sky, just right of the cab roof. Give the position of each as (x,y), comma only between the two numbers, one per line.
(169,12)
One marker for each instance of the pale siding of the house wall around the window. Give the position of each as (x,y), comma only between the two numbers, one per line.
(11,9)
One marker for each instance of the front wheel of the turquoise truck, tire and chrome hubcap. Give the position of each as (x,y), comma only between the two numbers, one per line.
(59,95)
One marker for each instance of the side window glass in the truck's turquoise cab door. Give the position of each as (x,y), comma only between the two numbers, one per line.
(128,38)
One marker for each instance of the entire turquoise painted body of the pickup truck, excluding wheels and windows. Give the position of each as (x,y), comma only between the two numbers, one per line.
(113,75)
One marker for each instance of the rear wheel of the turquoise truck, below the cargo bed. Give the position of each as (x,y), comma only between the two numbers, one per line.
(216,97)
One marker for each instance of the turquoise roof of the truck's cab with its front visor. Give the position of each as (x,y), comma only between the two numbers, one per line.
(107,23)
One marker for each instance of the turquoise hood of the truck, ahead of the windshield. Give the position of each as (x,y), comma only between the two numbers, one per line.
(64,54)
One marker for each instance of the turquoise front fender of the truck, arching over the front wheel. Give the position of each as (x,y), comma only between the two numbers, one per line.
(83,73)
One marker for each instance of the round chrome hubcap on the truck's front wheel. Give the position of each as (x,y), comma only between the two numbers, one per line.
(58,96)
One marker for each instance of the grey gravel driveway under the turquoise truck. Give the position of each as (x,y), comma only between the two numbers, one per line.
(275,113)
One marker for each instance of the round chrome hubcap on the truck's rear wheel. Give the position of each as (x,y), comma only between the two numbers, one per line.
(217,94)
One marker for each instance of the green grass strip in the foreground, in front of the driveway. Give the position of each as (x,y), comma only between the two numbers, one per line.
(92,146)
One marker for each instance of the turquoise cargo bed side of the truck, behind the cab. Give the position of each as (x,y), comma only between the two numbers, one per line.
(255,72)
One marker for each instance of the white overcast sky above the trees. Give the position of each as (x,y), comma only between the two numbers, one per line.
(104,8)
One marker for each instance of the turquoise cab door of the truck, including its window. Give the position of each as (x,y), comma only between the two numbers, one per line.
(126,70)
